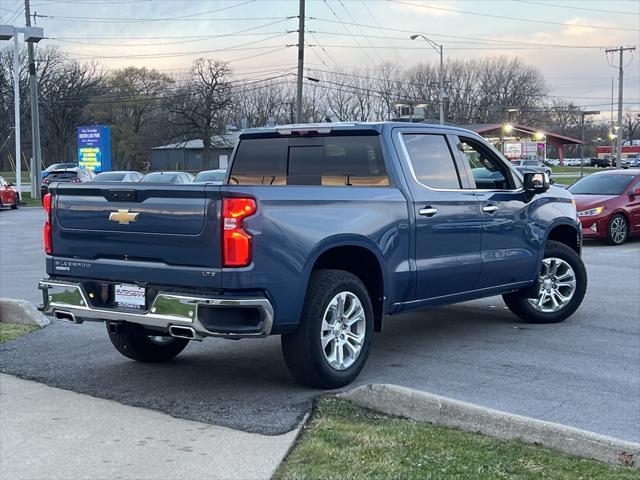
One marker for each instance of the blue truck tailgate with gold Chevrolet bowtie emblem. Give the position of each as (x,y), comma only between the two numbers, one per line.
(154,233)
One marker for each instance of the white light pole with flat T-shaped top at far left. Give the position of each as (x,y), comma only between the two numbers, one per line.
(31,35)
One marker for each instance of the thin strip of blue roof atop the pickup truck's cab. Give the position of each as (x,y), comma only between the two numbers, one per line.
(344,126)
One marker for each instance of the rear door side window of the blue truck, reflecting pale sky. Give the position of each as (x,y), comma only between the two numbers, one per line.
(432,161)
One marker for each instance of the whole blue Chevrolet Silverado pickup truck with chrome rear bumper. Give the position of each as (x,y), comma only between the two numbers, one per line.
(318,233)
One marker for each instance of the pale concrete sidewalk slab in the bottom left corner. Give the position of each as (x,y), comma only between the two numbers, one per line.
(51,433)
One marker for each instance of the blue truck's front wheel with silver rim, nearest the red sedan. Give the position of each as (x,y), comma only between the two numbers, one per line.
(530,310)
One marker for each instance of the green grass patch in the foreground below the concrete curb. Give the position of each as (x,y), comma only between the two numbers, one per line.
(343,441)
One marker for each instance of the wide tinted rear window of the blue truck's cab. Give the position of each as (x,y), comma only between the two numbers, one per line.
(331,161)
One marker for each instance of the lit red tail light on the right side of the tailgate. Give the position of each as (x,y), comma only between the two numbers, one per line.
(236,242)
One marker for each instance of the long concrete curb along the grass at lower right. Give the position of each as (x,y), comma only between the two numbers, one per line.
(448,412)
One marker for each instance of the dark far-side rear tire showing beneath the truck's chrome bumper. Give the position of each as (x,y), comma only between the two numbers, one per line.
(142,348)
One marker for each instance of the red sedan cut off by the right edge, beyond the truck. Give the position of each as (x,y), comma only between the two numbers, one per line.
(608,205)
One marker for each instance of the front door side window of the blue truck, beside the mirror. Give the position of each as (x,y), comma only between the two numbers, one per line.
(489,172)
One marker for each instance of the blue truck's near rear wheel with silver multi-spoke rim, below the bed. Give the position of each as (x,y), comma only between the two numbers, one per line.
(303,352)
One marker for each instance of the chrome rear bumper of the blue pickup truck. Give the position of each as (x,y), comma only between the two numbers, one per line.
(215,316)
